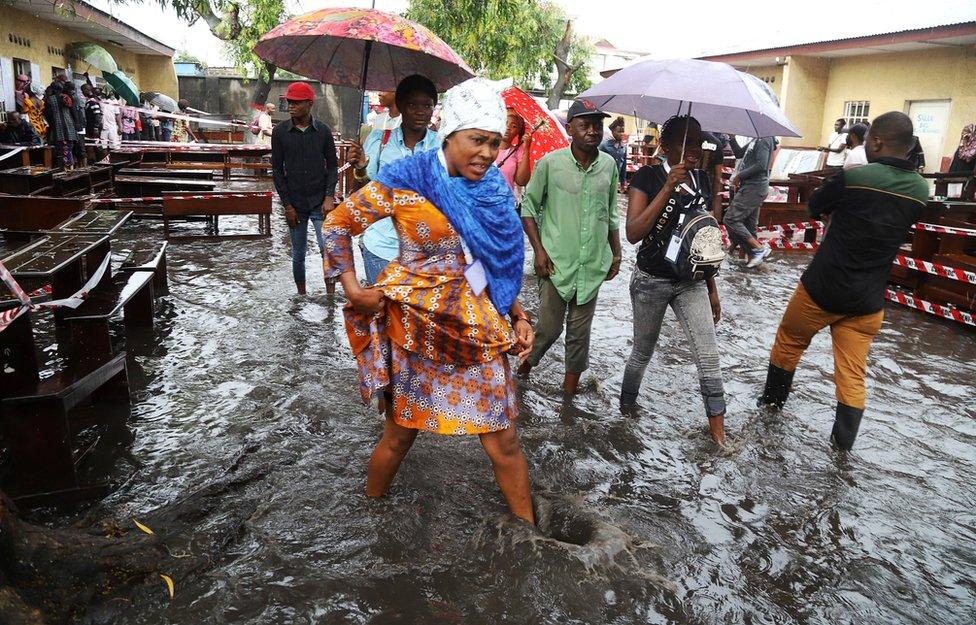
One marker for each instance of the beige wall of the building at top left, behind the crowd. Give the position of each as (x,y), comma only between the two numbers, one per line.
(48,47)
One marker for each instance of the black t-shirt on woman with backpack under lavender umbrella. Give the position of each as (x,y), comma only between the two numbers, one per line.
(650,179)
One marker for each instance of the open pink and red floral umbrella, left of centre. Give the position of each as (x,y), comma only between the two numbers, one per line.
(361,48)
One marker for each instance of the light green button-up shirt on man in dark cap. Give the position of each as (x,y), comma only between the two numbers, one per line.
(575,210)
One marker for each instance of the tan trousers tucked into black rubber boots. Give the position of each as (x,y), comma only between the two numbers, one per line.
(851,336)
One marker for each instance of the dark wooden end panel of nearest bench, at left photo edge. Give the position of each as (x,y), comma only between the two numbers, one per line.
(38,435)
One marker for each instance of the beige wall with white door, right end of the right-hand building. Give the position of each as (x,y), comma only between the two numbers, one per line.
(890,82)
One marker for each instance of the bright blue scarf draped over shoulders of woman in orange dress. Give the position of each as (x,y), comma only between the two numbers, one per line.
(482,212)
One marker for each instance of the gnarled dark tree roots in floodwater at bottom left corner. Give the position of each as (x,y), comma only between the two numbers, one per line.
(59,575)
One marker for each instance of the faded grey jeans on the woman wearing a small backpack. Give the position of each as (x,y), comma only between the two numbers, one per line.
(651,296)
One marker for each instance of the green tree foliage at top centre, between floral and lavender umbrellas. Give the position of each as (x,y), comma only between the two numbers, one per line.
(505,38)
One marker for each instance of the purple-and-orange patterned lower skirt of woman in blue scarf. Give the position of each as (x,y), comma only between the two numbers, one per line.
(448,398)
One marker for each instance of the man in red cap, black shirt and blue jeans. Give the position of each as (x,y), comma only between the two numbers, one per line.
(304,163)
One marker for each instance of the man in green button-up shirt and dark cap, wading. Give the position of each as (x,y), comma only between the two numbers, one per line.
(569,212)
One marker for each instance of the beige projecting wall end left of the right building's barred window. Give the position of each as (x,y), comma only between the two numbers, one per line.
(802,97)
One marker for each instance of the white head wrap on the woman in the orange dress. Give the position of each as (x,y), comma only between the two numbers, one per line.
(475,103)
